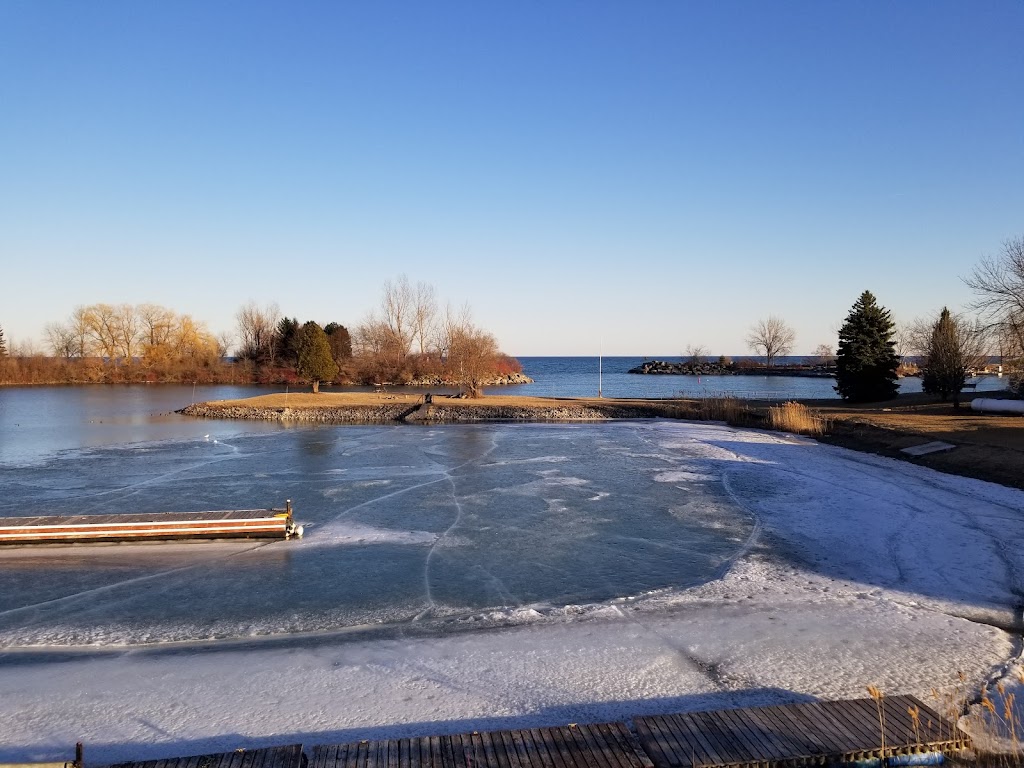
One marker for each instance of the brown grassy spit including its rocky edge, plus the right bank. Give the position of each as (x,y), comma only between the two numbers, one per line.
(988,447)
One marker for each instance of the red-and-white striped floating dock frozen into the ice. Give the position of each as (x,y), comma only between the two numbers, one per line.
(239,524)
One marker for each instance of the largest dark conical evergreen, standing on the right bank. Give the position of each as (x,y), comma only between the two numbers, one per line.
(866,366)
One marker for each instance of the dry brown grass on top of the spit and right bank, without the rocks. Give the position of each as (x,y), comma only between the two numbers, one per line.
(990,447)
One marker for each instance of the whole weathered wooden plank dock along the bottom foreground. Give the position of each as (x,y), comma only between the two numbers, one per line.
(785,737)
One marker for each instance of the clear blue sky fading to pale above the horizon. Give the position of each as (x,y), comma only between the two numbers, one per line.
(638,176)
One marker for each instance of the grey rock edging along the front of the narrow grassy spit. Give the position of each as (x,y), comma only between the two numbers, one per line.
(405,413)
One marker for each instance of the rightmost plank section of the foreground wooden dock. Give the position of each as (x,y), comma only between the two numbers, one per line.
(794,735)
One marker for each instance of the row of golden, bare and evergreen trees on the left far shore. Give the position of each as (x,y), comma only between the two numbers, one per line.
(409,338)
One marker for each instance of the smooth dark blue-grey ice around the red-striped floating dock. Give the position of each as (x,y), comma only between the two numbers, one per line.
(402,525)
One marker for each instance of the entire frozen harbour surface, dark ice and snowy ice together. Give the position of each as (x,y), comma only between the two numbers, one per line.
(495,576)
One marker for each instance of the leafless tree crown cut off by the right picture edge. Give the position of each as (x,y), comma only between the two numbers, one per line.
(999,283)
